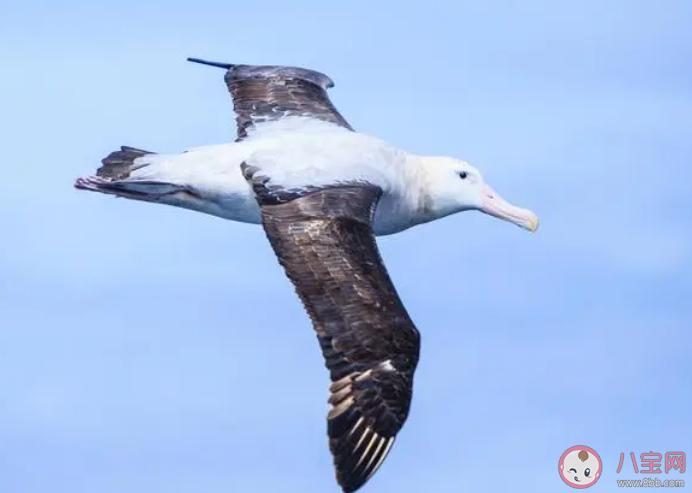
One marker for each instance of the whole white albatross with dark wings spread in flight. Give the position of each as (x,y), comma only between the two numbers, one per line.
(322,192)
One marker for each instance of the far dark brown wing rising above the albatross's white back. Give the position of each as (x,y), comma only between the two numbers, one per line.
(263,93)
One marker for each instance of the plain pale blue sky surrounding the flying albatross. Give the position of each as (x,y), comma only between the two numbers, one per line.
(145,349)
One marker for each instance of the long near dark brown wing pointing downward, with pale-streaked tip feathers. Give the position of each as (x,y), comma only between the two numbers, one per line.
(325,243)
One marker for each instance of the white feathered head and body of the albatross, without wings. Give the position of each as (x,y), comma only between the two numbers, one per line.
(301,153)
